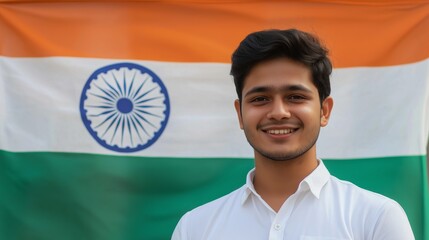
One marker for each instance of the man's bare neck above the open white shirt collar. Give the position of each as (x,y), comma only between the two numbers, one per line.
(275,181)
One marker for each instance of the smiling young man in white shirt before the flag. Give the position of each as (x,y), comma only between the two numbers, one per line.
(282,82)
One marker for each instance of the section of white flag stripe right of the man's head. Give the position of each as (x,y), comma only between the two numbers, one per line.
(378,112)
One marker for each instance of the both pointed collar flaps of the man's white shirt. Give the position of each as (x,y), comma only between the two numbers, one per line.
(313,182)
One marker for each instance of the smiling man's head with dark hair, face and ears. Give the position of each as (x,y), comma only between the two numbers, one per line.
(282,81)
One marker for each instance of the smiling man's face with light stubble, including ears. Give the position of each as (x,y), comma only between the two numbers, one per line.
(280,112)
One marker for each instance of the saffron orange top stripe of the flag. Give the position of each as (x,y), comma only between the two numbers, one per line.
(358,35)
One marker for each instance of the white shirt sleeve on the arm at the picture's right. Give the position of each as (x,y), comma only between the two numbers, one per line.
(392,223)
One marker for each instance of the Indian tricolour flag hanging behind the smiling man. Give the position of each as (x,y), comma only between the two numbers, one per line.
(116,117)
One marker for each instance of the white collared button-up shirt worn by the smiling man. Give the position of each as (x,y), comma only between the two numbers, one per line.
(322,208)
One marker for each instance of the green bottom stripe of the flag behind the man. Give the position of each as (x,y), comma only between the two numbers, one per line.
(85,196)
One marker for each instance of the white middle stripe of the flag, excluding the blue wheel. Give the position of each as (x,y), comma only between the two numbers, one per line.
(378,112)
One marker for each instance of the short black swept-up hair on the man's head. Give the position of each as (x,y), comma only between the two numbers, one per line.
(293,44)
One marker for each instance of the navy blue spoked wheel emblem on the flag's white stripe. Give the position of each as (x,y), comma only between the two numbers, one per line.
(125,107)
